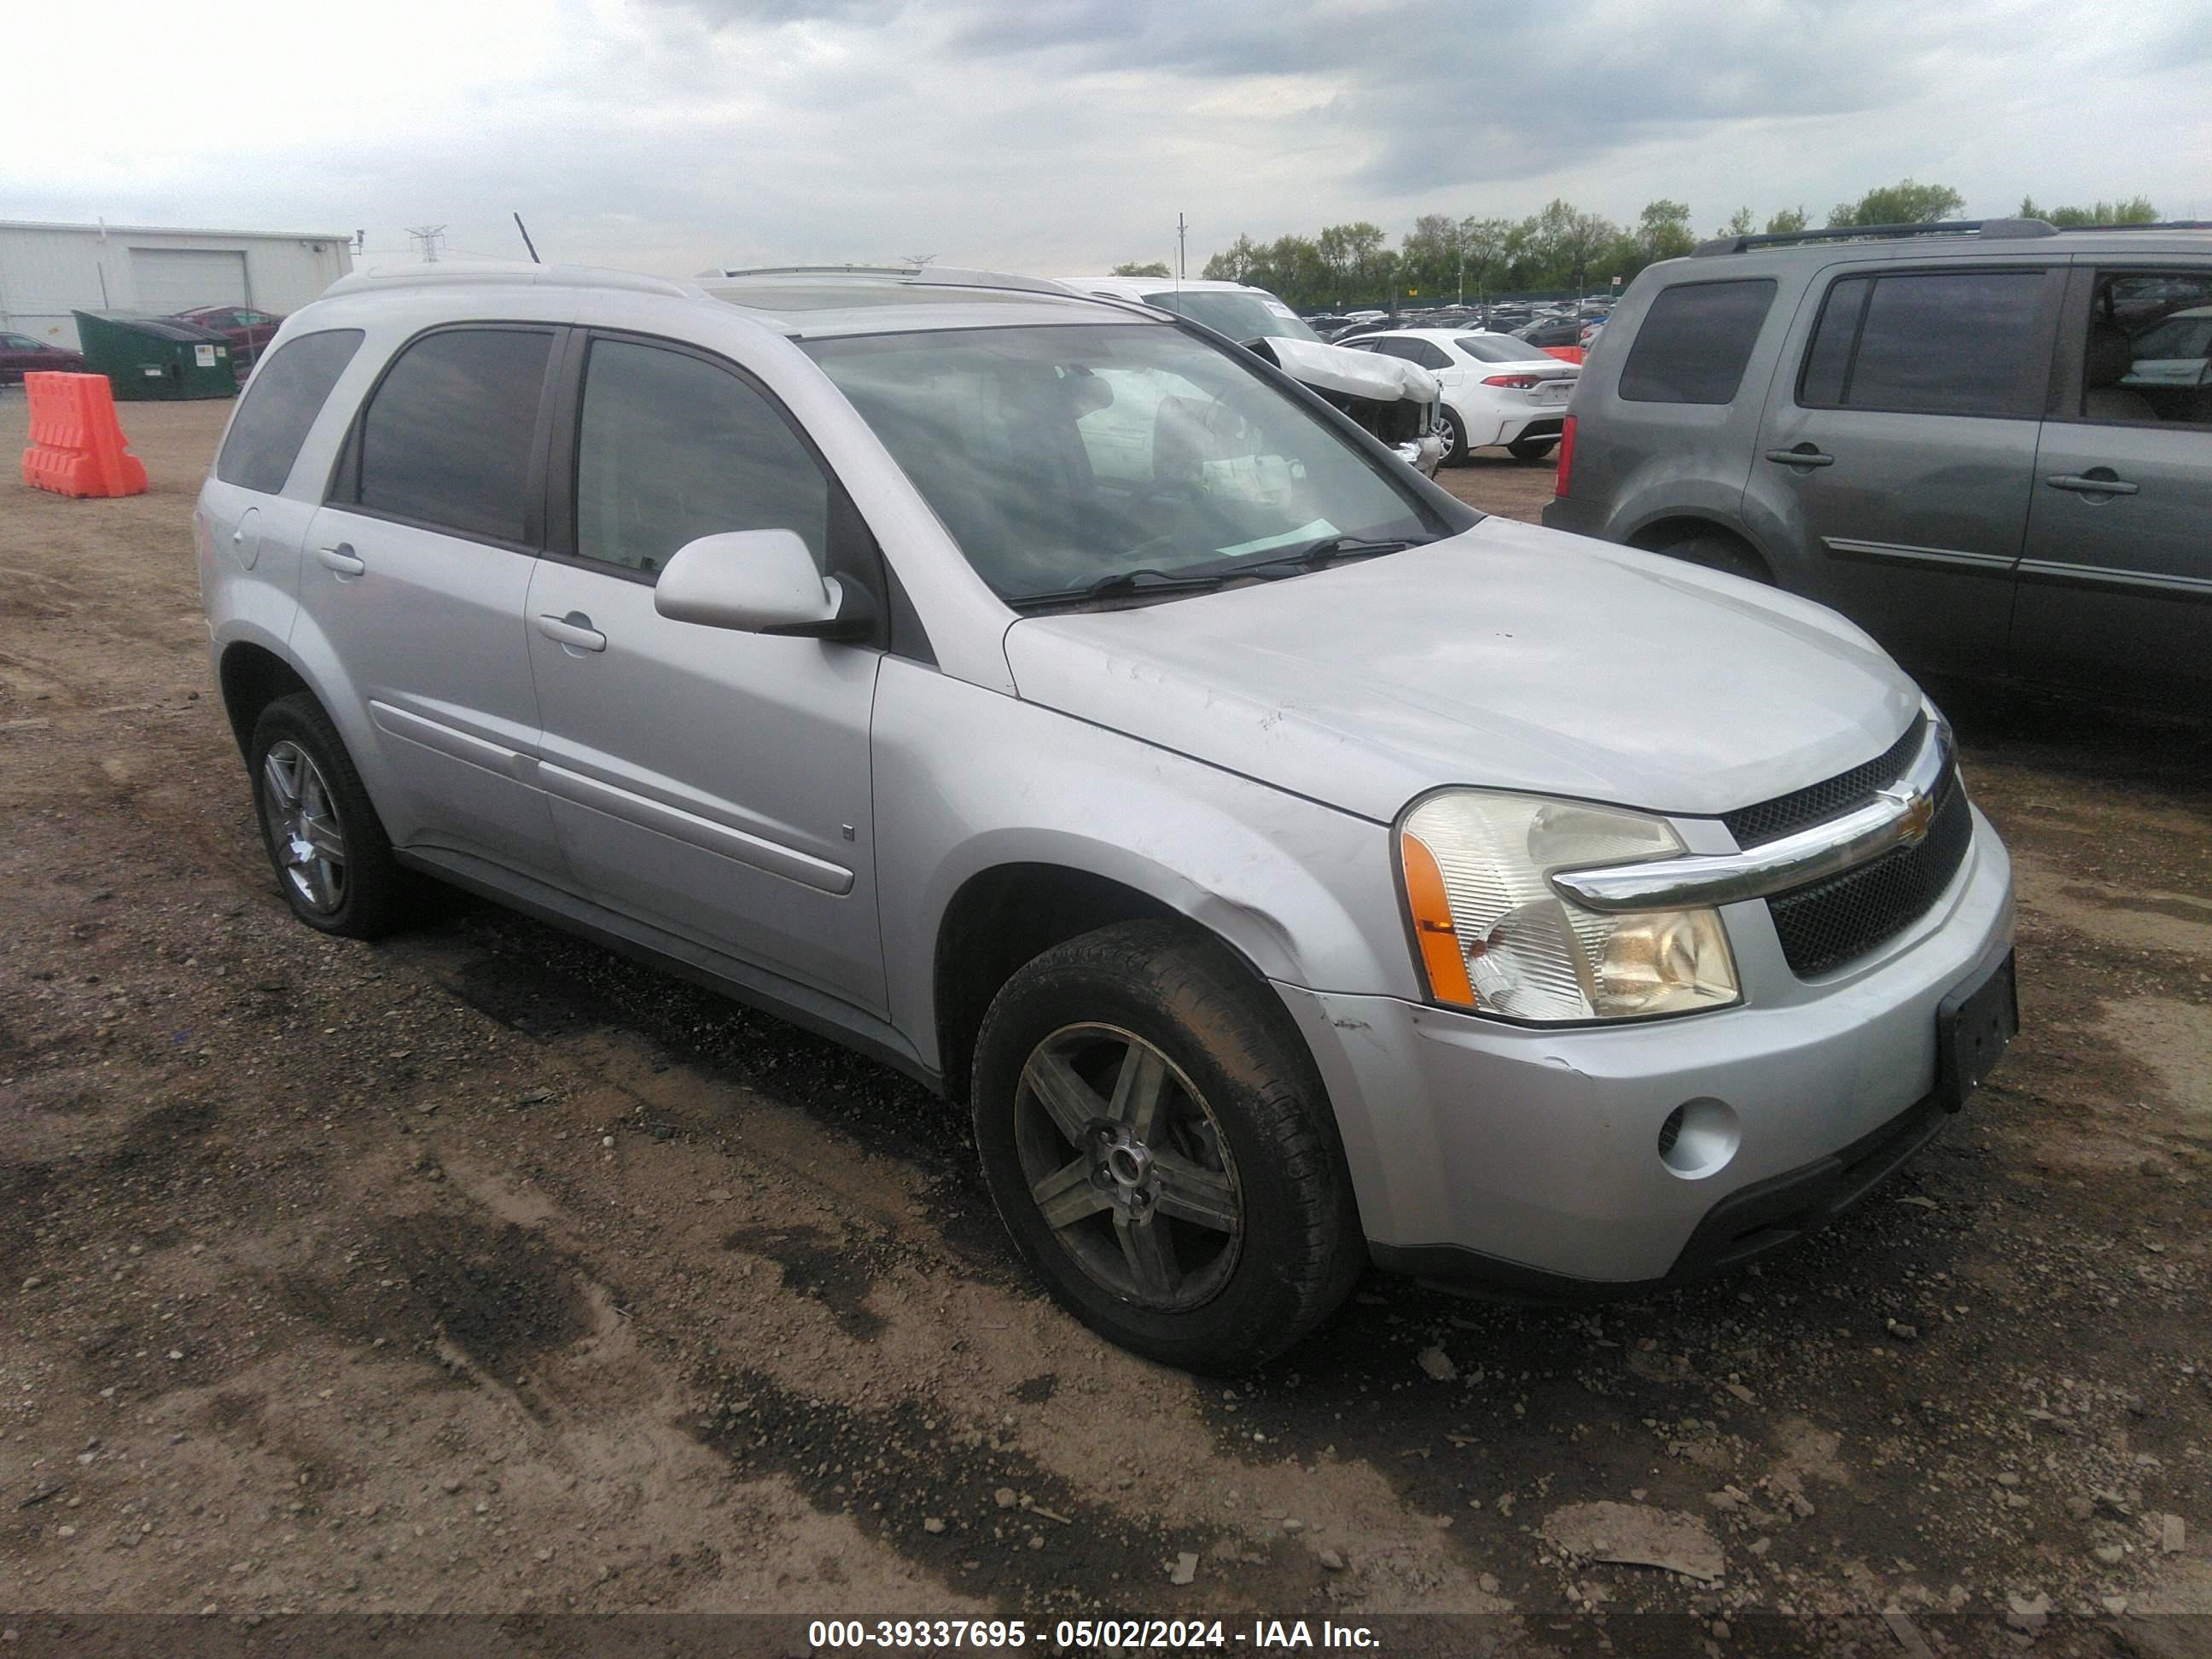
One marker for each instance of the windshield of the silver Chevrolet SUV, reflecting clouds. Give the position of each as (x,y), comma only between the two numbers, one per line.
(1067,457)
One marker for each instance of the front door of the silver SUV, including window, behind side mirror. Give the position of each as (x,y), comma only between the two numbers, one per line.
(713,784)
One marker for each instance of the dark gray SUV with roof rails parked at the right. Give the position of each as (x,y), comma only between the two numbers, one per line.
(1987,444)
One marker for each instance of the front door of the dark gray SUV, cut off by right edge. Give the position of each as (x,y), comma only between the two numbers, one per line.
(2116,583)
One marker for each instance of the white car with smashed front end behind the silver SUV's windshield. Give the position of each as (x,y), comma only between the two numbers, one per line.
(1399,404)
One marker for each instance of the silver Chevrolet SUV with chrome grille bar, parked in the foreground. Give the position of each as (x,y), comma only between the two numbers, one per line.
(1291,866)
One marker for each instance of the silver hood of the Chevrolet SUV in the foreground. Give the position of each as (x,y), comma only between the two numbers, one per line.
(1507,656)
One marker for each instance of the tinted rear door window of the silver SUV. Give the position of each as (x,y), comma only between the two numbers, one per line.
(448,435)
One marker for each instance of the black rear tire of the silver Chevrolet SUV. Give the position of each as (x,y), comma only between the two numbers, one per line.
(371,893)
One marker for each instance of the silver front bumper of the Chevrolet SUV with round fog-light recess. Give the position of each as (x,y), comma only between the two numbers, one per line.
(1527,1158)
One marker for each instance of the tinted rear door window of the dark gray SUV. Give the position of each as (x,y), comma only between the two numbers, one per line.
(1948,342)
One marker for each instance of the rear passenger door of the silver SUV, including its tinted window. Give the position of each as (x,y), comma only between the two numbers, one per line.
(417,574)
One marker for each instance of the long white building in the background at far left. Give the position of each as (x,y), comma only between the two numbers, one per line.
(50,271)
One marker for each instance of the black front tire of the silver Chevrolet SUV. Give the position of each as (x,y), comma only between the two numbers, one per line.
(1262,1127)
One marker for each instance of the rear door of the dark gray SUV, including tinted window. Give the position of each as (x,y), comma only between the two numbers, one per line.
(1897,452)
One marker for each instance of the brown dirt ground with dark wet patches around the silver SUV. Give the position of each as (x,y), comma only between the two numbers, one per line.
(481,1271)
